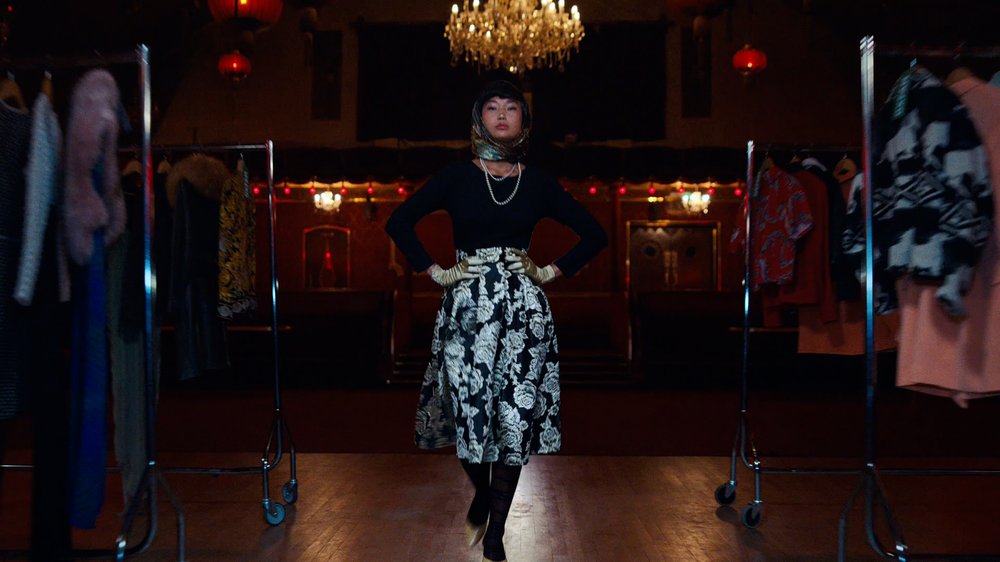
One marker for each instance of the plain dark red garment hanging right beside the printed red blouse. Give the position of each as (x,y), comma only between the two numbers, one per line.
(812,282)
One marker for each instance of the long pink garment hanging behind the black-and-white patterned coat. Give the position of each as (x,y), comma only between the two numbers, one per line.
(942,354)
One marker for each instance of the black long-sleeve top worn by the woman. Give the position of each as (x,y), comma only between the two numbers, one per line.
(478,222)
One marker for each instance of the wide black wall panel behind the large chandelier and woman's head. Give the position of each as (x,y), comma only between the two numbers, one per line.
(407,87)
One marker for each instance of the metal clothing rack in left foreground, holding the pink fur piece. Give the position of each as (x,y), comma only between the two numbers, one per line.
(152,472)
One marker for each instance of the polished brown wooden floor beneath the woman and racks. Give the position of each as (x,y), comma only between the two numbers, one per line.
(411,507)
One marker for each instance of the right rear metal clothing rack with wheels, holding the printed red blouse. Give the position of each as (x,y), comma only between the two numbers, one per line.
(725,494)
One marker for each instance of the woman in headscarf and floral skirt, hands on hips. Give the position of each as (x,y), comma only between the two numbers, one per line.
(492,386)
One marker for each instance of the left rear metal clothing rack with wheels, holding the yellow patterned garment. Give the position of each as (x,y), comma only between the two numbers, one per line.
(274,512)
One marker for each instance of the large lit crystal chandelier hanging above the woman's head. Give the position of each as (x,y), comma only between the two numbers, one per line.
(516,35)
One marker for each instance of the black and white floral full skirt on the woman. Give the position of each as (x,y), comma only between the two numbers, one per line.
(492,386)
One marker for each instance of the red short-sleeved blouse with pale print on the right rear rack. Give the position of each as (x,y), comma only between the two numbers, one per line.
(781,215)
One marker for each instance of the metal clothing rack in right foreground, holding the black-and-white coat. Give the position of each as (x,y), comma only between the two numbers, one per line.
(870,480)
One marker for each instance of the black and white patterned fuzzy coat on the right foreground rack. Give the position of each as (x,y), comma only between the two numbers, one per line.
(931,196)
